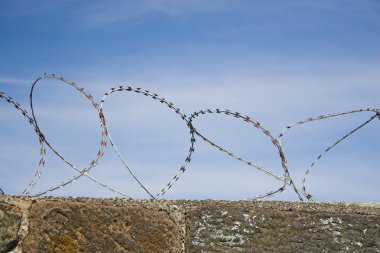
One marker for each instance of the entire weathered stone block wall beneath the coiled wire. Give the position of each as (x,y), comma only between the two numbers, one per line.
(120,225)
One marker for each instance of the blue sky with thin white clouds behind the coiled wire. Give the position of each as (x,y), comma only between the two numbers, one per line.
(276,61)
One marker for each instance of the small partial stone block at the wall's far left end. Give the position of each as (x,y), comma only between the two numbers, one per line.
(10,220)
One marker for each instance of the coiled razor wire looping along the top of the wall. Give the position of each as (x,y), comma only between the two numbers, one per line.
(285,179)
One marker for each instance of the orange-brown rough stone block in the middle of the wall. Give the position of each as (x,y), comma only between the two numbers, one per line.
(89,227)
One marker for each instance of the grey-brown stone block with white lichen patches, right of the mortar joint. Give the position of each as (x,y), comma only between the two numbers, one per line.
(282,227)
